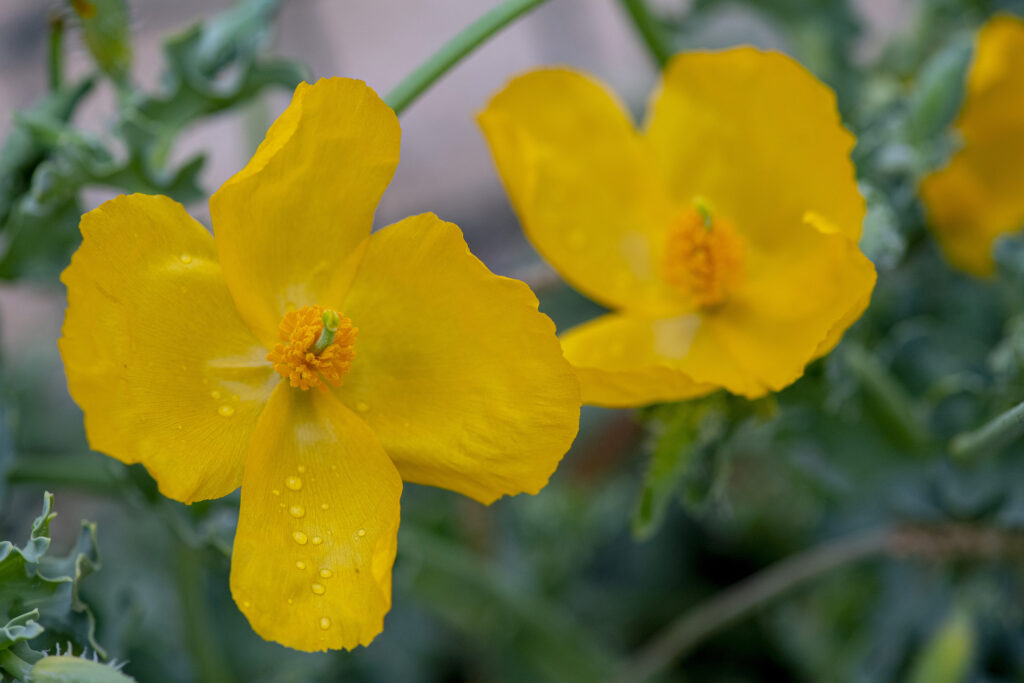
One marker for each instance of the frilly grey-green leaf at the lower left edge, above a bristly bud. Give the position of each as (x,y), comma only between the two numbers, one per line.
(31,580)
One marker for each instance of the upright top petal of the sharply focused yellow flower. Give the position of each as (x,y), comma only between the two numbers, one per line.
(291,227)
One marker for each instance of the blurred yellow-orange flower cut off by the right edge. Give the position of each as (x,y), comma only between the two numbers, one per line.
(979,196)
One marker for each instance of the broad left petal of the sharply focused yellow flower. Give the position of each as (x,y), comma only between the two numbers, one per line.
(156,355)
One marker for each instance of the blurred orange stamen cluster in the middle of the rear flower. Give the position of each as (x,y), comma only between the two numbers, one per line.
(704,259)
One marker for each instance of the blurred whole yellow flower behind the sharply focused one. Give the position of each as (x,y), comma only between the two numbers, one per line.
(723,236)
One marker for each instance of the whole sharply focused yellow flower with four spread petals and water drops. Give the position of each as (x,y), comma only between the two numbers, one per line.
(193,357)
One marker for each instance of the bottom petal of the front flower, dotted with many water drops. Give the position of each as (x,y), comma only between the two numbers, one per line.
(318,527)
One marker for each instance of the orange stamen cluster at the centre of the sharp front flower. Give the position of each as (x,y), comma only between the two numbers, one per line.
(317,348)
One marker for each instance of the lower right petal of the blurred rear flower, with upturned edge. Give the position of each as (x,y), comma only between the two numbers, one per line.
(796,306)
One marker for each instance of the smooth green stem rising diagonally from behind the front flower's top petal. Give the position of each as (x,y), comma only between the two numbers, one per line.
(453,53)
